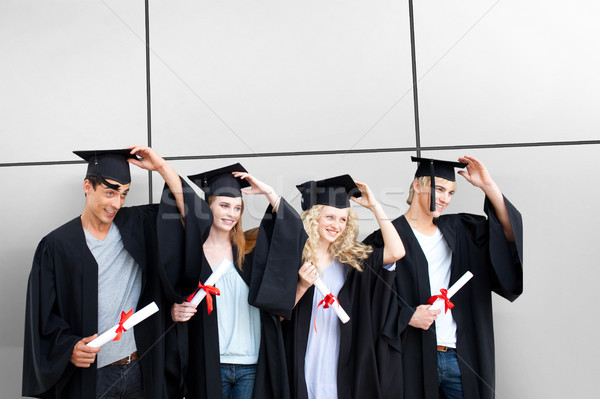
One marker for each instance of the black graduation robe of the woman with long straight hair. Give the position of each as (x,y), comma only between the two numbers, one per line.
(270,271)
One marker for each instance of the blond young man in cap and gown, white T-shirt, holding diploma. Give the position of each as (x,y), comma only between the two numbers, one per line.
(450,354)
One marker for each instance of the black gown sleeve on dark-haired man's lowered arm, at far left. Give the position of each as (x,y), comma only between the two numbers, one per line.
(48,342)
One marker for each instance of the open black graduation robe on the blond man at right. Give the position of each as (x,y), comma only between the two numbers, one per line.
(480,246)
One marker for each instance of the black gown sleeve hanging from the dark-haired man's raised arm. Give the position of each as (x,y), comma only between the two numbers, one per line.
(180,246)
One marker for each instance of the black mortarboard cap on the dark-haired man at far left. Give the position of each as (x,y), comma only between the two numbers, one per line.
(108,164)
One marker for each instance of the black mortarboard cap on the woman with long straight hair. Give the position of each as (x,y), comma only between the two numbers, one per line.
(221,181)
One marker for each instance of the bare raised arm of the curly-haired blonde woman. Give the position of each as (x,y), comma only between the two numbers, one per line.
(393,248)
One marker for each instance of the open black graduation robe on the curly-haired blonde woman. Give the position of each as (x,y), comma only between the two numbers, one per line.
(368,366)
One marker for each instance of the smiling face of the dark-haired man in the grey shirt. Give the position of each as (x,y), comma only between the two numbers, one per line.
(103,203)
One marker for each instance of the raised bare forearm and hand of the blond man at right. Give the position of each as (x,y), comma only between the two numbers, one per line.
(478,175)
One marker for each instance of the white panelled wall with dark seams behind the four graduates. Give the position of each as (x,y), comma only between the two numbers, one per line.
(271,76)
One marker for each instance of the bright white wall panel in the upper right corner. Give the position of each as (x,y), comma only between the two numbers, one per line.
(507,71)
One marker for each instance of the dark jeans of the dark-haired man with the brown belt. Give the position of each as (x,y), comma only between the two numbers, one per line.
(119,382)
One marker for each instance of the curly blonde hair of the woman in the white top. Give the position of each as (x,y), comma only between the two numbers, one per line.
(345,248)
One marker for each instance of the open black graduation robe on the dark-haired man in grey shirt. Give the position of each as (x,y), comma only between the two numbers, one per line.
(62,306)
